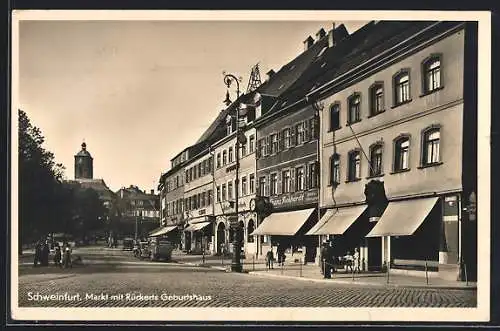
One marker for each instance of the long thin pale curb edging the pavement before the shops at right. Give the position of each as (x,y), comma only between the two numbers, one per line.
(368,284)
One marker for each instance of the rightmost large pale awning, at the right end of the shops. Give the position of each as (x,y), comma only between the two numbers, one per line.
(402,218)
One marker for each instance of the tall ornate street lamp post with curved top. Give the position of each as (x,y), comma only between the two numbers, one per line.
(236,261)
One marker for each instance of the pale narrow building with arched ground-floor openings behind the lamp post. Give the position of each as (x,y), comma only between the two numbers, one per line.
(224,179)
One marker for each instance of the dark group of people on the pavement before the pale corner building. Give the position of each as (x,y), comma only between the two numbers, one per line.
(329,260)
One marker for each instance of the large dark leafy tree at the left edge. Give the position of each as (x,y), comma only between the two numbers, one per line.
(40,184)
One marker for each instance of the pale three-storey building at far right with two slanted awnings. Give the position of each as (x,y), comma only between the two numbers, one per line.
(398,152)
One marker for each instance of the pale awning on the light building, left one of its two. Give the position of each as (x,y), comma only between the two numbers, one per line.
(340,220)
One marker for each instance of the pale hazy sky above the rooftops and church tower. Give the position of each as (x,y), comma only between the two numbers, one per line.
(139,92)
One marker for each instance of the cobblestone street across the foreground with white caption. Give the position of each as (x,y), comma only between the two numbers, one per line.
(212,288)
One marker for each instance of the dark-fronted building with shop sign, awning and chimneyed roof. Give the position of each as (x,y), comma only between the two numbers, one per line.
(287,152)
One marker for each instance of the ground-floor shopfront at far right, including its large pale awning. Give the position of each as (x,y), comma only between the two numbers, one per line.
(420,234)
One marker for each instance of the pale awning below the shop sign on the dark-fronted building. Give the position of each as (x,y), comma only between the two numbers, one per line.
(283,224)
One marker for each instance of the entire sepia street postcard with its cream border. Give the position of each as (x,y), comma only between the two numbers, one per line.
(250,166)
